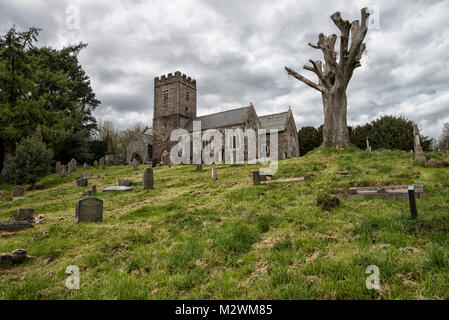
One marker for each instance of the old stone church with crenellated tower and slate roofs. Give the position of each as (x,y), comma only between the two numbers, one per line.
(175,106)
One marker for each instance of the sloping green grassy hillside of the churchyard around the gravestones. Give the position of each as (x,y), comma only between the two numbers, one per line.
(194,238)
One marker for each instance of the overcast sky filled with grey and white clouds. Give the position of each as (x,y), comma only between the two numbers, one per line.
(237,50)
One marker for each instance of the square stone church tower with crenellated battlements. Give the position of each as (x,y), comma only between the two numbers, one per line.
(174,104)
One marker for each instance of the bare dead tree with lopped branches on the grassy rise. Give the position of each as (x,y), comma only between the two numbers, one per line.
(334,77)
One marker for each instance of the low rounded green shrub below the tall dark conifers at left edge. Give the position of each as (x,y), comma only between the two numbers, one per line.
(31,161)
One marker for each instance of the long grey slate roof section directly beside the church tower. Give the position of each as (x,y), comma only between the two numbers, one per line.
(220,119)
